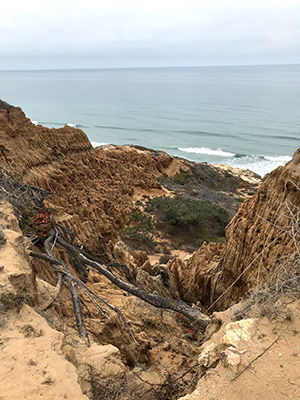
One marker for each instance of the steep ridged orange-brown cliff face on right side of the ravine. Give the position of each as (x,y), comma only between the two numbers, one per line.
(260,238)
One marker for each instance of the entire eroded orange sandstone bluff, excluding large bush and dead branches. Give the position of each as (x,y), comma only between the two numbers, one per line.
(155,354)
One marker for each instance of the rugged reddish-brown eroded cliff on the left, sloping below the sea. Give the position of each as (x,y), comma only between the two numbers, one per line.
(92,188)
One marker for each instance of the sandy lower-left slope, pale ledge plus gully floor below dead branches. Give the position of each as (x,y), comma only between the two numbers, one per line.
(42,350)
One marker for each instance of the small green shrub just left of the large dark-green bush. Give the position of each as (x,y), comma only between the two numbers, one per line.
(141,227)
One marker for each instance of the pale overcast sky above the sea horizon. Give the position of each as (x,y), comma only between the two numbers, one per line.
(133,33)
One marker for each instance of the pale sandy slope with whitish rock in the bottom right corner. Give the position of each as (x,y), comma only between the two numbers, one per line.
(274,375)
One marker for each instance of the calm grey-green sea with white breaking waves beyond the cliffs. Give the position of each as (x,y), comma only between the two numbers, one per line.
(242,116)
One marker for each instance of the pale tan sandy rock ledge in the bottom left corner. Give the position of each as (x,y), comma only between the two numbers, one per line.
(30,350)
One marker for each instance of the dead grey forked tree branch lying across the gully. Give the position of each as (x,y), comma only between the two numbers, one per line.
(80,261)
